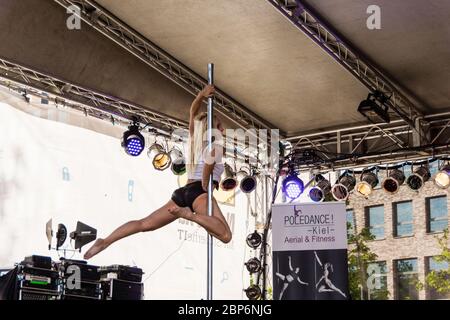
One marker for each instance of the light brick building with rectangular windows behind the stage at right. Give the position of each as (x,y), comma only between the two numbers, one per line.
(405,226)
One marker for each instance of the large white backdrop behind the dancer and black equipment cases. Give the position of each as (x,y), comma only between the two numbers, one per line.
(53,170)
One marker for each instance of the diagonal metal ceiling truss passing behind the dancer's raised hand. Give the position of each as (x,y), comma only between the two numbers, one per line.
(110,26)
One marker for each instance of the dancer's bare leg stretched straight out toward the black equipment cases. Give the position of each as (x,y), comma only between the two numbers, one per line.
(155,220)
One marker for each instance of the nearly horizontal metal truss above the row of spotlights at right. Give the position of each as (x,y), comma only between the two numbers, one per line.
(369,144)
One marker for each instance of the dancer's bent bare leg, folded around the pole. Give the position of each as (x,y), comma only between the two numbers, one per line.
(216,225)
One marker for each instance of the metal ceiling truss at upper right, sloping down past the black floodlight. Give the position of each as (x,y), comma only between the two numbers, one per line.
(311,25)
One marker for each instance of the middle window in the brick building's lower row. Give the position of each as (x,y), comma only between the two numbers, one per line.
(406,278)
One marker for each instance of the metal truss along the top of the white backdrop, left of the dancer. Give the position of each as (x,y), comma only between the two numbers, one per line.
(94,103)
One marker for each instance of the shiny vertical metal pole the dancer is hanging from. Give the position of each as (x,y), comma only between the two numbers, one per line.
(209,273)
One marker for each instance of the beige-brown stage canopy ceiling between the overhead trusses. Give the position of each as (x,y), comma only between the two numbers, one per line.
(262,60)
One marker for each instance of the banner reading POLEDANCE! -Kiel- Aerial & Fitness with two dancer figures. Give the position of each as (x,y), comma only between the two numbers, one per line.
(310,251)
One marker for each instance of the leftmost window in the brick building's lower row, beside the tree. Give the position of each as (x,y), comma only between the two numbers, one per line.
(377,281)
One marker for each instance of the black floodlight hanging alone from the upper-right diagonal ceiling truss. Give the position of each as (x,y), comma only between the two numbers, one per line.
(374,108)
